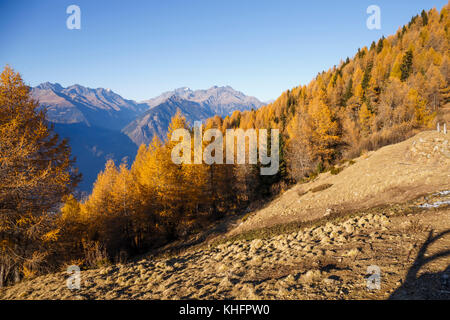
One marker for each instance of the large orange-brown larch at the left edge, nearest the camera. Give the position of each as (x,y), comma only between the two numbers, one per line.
(36,173)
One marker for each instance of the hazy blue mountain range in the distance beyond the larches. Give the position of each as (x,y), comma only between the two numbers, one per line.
(102,125)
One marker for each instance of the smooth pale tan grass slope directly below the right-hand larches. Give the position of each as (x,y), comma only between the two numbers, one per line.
(393,174)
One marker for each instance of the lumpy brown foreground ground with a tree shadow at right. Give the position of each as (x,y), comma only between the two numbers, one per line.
(409,244)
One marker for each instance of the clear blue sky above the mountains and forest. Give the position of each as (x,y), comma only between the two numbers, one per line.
(142,48)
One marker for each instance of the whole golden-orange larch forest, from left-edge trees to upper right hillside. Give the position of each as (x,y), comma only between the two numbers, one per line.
(384,94)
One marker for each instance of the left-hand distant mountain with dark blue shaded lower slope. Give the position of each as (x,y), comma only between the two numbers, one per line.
(91,119)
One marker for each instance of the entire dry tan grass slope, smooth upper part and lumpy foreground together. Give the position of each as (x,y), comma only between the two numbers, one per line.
(327,260)
